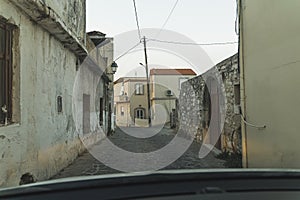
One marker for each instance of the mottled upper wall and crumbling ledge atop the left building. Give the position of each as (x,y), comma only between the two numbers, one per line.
(57,21)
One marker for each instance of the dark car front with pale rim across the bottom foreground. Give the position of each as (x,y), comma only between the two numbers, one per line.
(179,184)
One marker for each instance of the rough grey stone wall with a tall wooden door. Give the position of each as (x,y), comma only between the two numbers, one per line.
(201,100)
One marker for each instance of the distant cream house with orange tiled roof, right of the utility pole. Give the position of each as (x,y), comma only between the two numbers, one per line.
(165,90)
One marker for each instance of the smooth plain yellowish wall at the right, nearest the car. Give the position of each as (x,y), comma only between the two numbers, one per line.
(270,68)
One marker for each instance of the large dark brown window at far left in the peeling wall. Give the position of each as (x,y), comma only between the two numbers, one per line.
(6,74)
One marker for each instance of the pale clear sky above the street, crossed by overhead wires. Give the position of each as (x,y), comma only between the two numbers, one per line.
(200,21)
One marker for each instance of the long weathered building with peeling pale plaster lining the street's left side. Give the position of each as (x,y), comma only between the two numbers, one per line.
(44,46)
